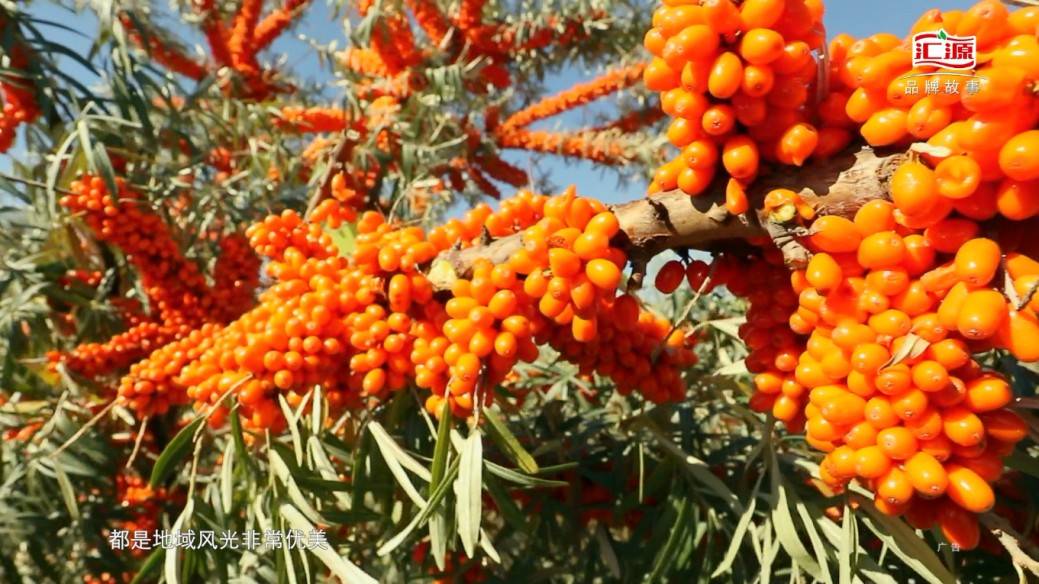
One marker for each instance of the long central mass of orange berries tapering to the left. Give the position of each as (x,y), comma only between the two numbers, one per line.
(366,326)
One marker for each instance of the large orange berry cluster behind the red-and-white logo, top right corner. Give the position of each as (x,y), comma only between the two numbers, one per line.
(989,158)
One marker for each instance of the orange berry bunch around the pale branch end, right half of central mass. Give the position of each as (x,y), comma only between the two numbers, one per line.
(560,288)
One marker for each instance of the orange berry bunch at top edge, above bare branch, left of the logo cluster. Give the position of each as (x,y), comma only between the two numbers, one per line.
(738,83)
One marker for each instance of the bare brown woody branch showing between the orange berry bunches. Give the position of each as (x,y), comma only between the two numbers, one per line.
(674,221)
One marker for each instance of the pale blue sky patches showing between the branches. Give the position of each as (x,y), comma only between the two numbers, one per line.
(319,25)
